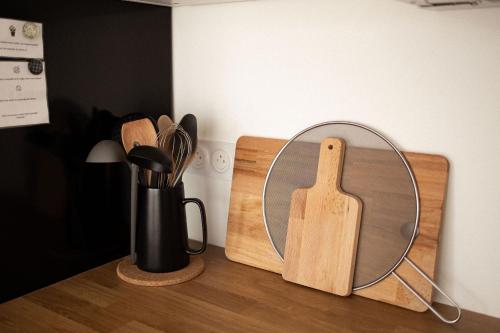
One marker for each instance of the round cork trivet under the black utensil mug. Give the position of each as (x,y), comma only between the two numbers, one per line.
(132,274)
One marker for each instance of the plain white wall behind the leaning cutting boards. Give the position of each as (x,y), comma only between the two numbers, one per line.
(430,80)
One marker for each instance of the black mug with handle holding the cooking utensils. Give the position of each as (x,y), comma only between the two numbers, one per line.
(162,236)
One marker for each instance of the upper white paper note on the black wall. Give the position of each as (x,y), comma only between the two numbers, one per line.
(21,39)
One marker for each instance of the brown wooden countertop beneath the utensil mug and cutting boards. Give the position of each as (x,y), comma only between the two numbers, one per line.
(227,297)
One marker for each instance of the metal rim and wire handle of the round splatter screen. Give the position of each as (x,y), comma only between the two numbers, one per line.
(415,229)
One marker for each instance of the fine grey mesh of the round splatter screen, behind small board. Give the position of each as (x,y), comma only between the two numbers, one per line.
(373,171)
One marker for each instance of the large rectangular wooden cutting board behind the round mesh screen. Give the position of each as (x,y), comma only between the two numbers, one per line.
(247,241)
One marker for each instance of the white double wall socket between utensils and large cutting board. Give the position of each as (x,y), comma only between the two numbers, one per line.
(213,159)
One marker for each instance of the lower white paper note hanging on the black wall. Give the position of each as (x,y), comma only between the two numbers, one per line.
(23,95)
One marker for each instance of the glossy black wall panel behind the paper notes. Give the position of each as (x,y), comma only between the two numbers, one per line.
(104,59)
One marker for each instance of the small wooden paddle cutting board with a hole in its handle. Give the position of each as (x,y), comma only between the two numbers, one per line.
(323,228)
